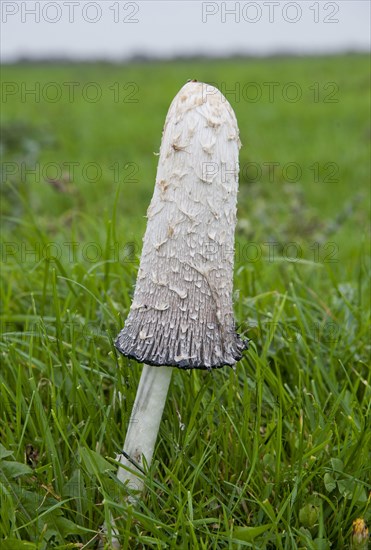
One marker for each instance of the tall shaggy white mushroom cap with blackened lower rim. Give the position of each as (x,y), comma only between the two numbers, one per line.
(182,311)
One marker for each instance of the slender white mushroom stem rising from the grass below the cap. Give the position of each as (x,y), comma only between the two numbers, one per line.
(144,426)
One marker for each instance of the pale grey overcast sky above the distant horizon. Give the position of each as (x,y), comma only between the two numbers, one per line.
(118,29)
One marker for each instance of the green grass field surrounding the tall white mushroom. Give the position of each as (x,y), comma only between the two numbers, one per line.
(275,454)
